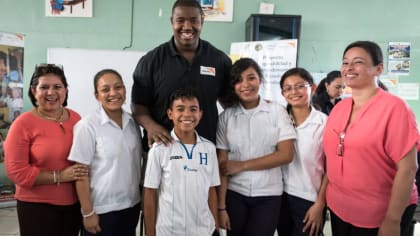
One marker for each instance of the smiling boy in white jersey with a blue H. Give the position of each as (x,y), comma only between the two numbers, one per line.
(179,188)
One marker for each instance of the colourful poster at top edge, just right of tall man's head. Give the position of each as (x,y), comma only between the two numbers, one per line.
(217,10)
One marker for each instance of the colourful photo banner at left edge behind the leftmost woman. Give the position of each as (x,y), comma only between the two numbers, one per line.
(11,94)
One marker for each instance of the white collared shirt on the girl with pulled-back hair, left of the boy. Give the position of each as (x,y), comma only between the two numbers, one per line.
(113,155)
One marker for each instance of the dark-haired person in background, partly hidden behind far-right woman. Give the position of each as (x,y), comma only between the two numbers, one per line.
(328,92)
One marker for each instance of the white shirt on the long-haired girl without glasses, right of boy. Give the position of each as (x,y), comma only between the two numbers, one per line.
(248,135)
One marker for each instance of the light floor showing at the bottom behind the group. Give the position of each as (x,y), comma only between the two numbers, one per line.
(9,225)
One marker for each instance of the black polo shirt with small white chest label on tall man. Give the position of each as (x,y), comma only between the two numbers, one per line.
(163,70)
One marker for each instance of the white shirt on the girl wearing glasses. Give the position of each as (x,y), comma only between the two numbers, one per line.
(303,176)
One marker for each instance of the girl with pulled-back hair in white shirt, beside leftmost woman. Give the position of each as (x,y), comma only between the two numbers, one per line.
(108,141)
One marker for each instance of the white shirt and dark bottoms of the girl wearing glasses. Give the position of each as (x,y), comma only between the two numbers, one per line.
(303,176)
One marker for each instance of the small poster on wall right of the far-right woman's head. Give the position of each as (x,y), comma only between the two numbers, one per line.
(399,58)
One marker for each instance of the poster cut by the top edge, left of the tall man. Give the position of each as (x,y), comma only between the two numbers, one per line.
(68,8)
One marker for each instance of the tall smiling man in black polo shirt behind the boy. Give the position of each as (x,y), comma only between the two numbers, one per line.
(185,60)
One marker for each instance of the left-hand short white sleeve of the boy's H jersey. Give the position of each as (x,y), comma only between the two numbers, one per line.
(153,173)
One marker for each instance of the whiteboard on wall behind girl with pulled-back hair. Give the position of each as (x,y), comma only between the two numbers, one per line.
(81,65)
